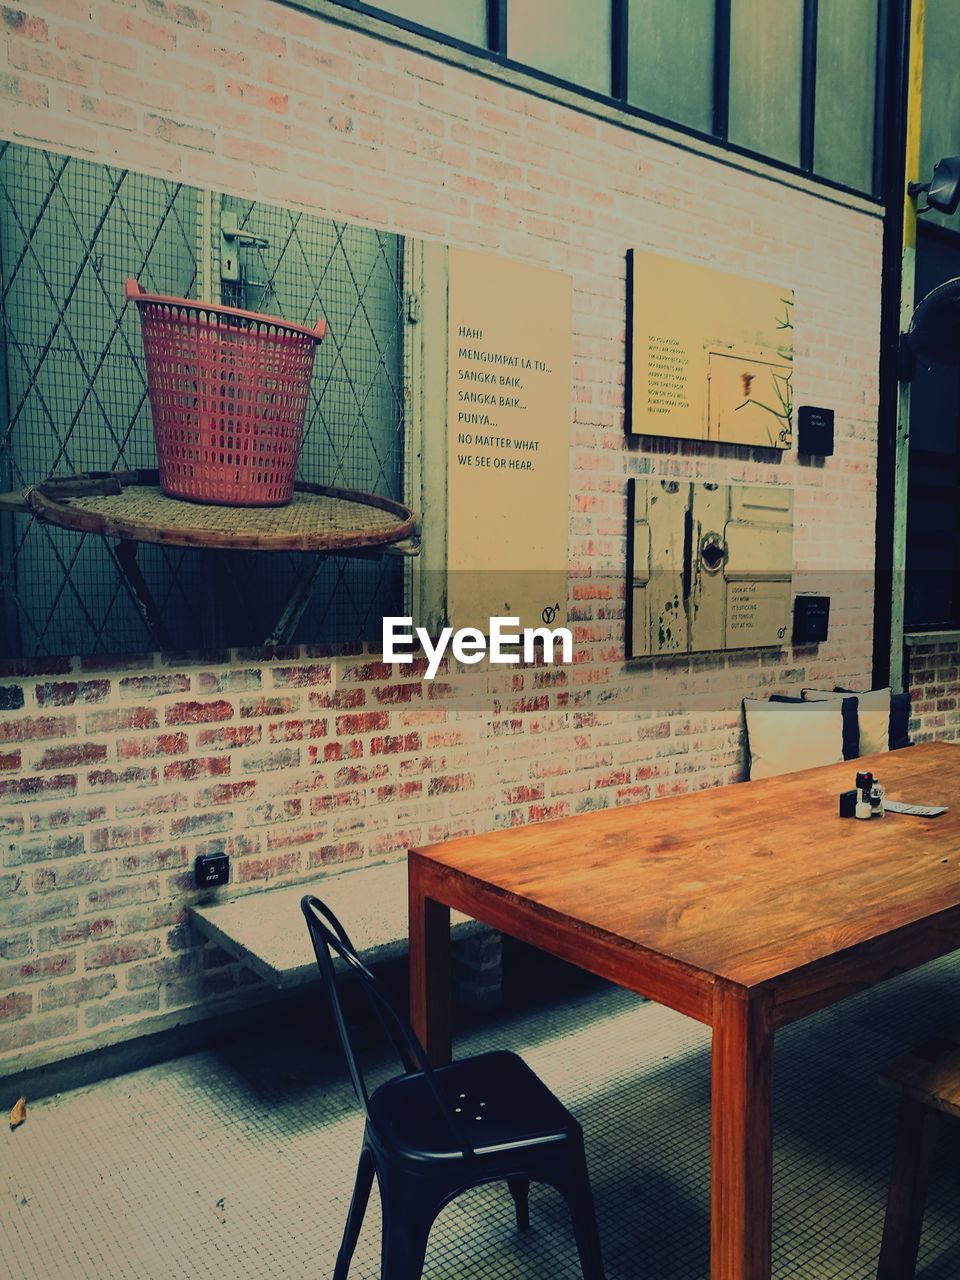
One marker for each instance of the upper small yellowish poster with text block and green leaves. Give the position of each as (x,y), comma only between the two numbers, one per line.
(711,354)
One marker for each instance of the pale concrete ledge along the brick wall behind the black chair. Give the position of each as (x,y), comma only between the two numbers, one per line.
(268,934)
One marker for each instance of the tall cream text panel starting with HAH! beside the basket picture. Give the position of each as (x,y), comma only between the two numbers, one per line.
(509,378)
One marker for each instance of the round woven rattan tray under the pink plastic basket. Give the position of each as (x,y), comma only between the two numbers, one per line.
(130,505)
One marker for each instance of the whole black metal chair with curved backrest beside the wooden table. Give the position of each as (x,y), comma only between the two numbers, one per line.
(436,1132)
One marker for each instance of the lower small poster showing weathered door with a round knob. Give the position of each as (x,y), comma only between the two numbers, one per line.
(710,566)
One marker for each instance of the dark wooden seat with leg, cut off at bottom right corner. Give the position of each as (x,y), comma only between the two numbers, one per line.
(929,1082)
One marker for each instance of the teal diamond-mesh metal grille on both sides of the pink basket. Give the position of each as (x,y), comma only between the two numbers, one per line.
(74,399)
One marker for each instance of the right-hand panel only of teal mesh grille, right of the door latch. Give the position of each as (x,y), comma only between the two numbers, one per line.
(353,435)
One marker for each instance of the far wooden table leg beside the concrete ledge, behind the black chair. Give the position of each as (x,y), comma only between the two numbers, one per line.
(429,970)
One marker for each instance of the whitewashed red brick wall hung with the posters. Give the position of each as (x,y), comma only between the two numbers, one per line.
(115,775)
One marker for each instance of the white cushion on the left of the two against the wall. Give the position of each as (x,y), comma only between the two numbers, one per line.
(789,737)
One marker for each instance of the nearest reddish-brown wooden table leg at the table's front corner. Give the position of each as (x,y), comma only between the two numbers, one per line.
(742,1126)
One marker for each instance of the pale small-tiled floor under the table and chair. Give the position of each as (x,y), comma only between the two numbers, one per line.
(239,1164)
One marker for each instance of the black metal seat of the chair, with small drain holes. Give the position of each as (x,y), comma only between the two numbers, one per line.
(497,1100)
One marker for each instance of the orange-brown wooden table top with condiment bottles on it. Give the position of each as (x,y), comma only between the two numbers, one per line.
(748,883)
